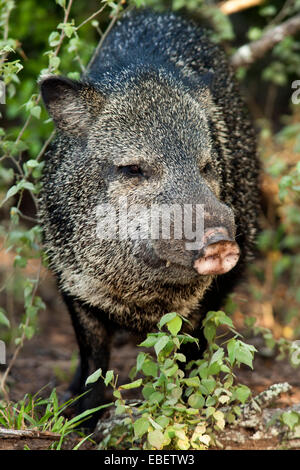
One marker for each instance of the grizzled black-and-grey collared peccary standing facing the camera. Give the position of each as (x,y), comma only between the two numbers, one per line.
(158,121)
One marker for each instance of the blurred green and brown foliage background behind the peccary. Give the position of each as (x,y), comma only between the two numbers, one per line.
(59,36)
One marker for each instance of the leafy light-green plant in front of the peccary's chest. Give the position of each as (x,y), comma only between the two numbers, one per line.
(180,409)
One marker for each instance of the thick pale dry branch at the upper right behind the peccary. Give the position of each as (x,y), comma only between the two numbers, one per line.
(249,53)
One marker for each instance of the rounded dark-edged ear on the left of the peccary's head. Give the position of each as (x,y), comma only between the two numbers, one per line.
(72,105)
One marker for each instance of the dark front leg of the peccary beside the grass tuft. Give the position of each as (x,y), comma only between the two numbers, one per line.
(94,341)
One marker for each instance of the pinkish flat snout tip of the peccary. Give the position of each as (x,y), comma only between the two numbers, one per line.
(219,255)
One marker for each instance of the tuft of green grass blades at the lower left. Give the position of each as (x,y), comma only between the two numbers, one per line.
(44,414)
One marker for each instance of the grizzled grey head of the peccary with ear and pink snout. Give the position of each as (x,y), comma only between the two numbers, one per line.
(122,157)
